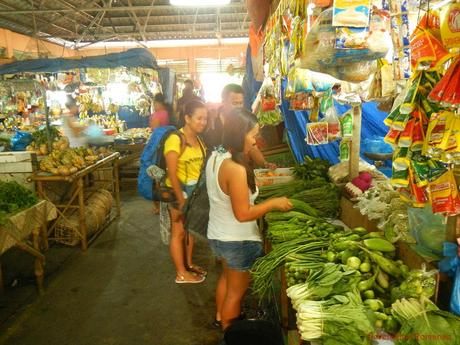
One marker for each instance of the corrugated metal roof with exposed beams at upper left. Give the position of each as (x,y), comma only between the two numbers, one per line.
(96,20)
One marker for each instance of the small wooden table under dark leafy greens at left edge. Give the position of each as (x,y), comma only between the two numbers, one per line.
(19,227)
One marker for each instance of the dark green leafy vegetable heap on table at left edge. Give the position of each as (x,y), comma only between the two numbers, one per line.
(14,198)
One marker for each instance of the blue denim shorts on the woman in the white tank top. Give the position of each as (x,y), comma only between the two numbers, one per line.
(239,255)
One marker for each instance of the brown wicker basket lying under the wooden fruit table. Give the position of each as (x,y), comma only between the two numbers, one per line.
(97,212)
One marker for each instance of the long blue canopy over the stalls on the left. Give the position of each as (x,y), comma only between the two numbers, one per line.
(136,57)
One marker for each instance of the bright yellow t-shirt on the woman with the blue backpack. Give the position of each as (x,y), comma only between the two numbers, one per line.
(190,162)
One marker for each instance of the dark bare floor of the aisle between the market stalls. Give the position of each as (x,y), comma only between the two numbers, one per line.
(121,291)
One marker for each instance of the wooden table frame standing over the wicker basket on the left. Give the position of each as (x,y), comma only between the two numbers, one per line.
(82,183)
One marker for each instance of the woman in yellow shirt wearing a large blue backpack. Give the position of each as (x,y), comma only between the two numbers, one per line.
(183,163)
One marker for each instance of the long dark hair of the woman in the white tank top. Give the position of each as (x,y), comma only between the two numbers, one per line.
(237,125)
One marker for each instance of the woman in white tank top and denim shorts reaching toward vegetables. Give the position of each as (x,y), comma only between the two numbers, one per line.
(232,230)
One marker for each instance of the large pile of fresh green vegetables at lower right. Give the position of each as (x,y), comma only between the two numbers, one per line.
(346,284)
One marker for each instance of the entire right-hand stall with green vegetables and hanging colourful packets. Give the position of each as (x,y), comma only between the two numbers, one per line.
(369,251)
